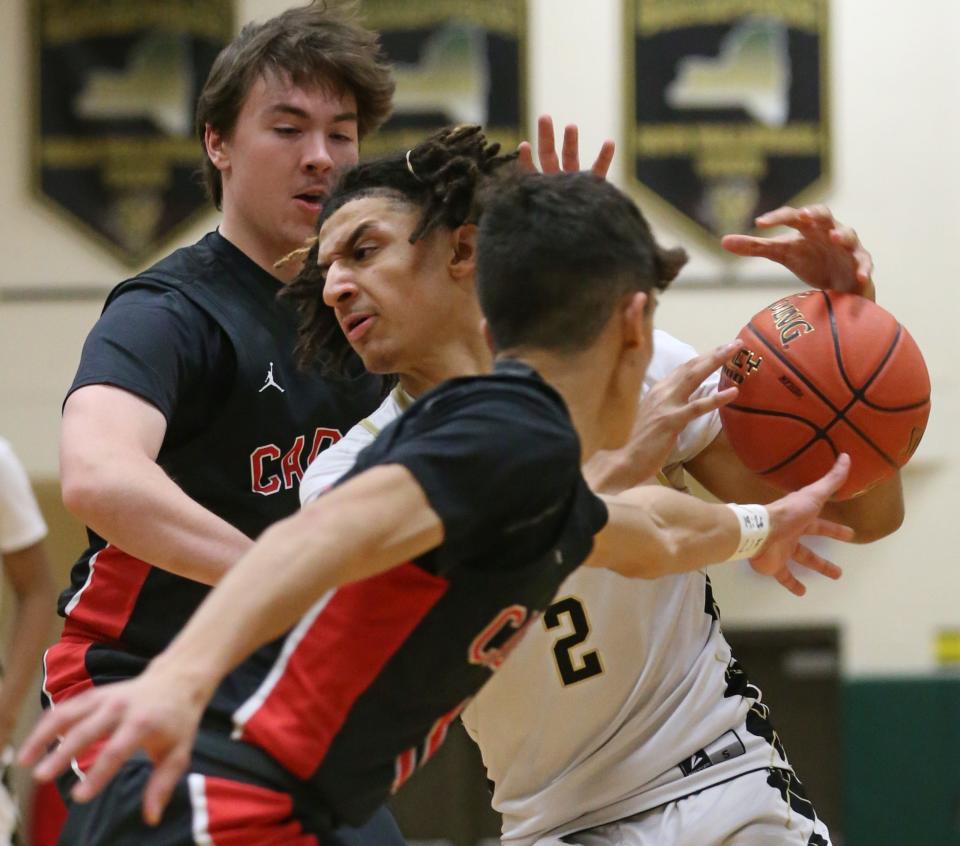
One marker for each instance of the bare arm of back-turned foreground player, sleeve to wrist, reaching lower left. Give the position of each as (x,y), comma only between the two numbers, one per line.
(295,562)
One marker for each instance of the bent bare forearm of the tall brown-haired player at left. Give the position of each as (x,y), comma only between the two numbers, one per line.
(128,500)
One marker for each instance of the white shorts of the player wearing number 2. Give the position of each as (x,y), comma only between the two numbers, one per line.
(763,808)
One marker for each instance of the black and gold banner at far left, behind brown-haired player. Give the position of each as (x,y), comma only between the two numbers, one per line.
(116,84)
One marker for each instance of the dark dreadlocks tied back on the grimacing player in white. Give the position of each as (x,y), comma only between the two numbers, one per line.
(441,176)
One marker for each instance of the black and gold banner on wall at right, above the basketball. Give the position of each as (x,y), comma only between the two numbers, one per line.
(727,105)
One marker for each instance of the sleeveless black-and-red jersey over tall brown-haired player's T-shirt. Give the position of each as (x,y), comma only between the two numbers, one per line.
(244,465)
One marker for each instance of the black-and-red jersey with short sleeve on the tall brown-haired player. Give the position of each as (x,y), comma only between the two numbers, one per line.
(202,336)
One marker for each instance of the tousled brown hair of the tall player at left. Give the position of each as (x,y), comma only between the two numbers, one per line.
(321,44)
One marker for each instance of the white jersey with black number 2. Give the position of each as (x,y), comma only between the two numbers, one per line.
(615,702)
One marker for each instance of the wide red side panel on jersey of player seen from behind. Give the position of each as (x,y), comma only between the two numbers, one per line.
(337,660)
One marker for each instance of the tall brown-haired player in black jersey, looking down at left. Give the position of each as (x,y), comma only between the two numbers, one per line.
(188,425)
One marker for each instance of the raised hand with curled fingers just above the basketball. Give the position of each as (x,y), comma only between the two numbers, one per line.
(822,251)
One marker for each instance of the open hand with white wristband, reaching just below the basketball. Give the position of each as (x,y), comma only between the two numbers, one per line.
(795,515)
